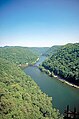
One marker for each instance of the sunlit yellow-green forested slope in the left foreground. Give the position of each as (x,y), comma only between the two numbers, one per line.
(20,97)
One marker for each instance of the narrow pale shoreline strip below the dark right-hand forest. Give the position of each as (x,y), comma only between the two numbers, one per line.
(51,74)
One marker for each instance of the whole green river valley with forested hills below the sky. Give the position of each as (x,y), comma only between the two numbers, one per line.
(30,90)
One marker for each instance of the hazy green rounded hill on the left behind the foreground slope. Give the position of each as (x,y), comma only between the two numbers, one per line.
(18,55)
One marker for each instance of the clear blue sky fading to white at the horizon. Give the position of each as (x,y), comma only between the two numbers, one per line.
(39,23)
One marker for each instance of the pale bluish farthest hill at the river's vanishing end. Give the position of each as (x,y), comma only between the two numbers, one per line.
(39,50)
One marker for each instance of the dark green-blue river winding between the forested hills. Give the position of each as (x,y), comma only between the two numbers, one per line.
(62,94)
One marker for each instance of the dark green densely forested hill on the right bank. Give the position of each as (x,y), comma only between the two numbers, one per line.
(65,63)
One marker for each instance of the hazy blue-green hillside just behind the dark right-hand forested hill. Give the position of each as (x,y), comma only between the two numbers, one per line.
(52,50)
